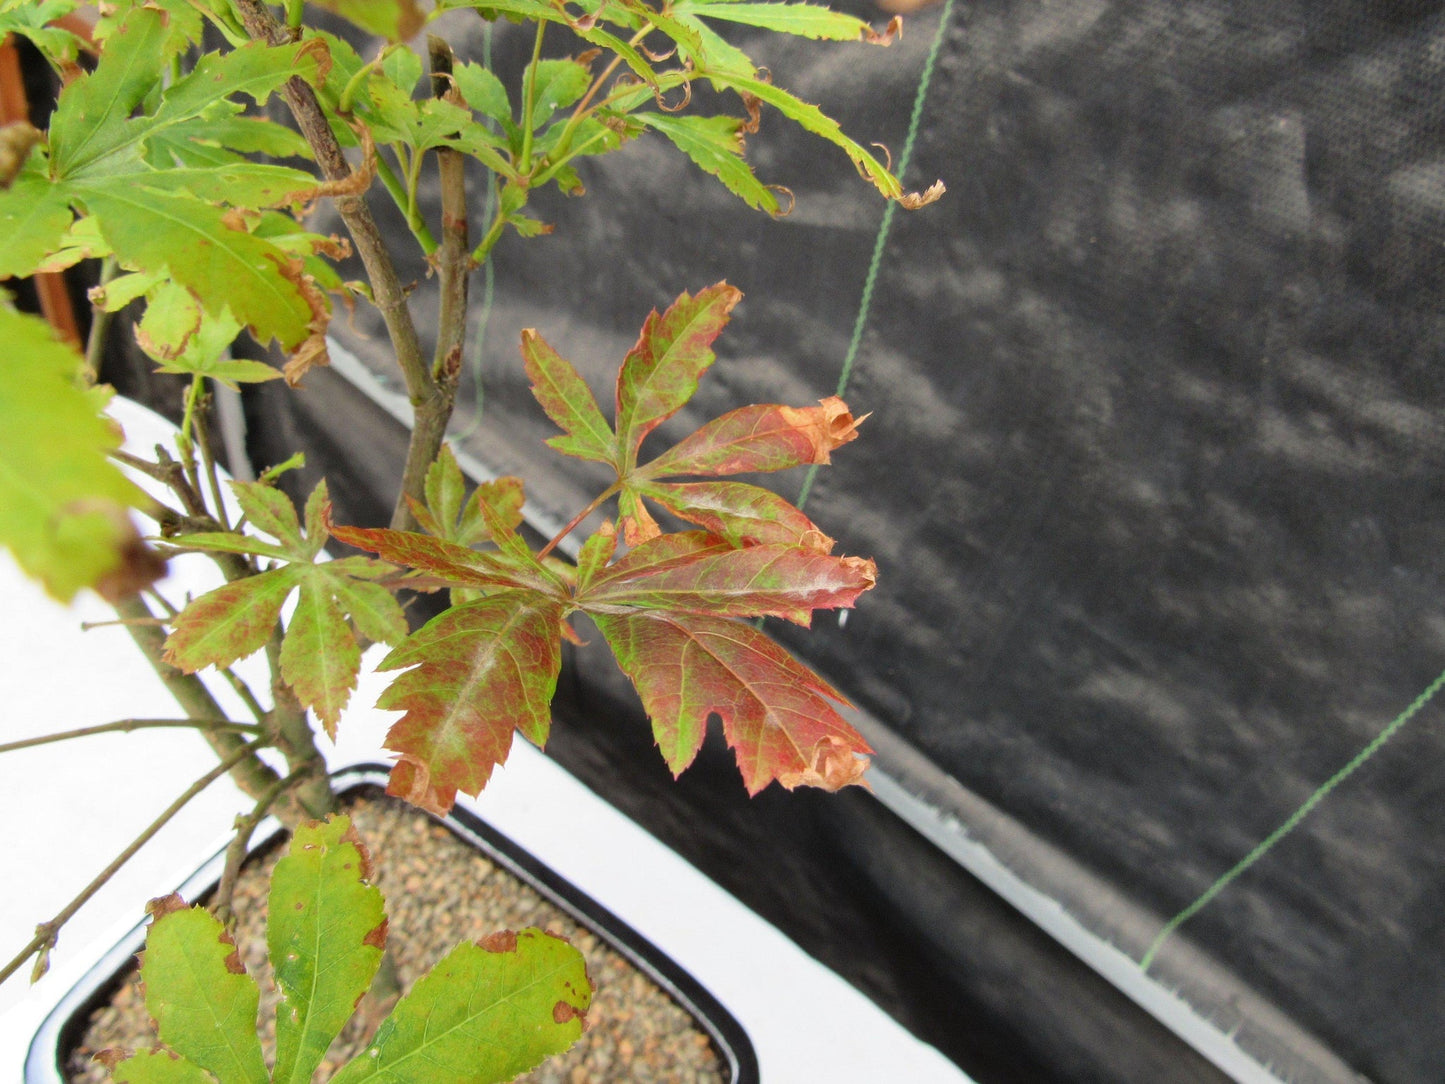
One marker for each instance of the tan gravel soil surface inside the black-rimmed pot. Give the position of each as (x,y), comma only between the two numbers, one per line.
(439,892)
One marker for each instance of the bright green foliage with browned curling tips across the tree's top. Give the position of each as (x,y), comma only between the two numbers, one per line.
(160,163)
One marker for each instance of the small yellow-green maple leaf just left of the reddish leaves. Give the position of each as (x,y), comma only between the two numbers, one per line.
(320,657)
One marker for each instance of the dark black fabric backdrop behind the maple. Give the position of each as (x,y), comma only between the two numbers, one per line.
(1154,481)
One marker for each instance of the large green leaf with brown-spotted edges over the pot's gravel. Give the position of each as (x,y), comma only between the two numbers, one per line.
(326,934)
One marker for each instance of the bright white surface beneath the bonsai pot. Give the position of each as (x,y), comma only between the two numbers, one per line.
(69,809)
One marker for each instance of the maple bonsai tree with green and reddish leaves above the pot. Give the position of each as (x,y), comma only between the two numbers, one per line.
(196,205)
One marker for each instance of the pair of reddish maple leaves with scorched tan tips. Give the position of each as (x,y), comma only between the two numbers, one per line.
(670,608)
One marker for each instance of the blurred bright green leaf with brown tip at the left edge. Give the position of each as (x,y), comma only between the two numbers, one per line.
(63,502)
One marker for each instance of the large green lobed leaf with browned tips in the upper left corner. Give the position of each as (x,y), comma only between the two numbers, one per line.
(164,183)
